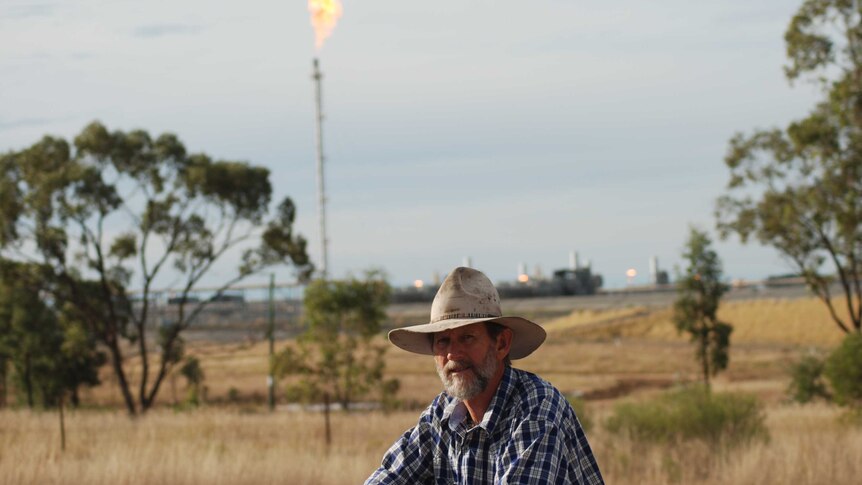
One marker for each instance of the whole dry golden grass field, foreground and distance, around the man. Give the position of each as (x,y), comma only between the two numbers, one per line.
(604,356)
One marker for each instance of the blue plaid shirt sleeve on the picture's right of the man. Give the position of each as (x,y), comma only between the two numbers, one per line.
(539,453)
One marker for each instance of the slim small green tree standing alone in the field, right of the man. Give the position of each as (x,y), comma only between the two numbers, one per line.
(696,308)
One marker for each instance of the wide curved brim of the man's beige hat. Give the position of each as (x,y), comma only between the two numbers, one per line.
(526,335)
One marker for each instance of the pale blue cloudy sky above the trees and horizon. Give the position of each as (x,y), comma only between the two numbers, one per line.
(507,131)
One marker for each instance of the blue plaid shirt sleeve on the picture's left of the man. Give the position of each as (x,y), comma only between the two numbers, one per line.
(408,461)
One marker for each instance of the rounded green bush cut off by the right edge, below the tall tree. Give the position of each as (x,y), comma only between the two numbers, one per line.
(844,371)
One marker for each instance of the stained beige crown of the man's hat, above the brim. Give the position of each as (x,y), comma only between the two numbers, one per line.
(465,293)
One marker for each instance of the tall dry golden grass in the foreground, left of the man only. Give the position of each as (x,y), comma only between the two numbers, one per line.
(207,446)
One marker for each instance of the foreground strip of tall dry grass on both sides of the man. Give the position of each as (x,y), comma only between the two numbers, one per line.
(224,446)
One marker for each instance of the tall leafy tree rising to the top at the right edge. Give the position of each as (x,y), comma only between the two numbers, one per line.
(799,189)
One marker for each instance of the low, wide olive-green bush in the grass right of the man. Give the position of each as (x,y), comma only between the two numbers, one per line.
(721,420)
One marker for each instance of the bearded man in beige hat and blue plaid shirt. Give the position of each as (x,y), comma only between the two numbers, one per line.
(493,423)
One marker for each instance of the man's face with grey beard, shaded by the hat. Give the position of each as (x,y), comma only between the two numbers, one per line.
(466,360)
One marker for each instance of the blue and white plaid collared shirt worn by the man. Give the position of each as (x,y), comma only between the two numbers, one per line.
(529,435)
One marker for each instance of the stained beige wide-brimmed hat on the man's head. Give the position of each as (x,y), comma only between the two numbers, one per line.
(467,296)
